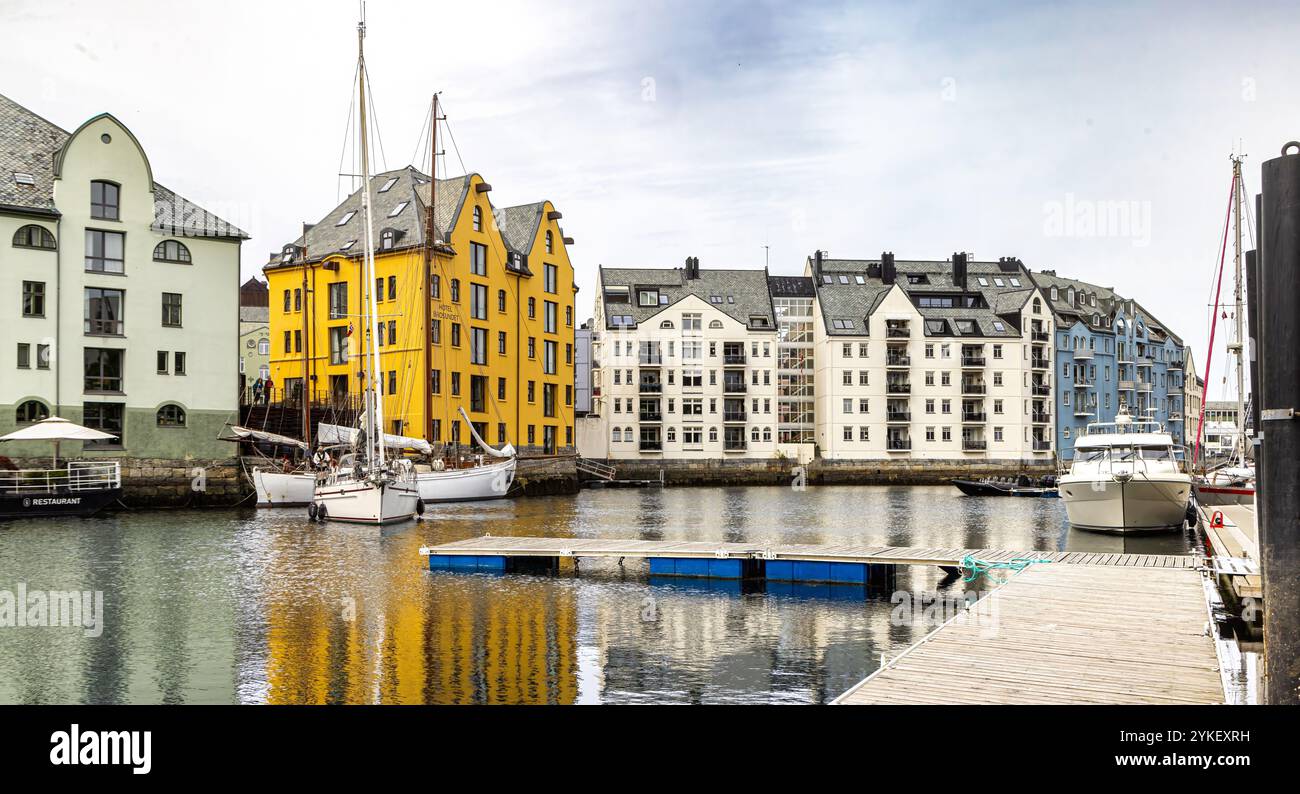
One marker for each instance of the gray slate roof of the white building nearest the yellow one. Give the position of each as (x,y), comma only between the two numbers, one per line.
(743,293)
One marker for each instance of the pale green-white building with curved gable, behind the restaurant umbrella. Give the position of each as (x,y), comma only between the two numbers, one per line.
(122,297)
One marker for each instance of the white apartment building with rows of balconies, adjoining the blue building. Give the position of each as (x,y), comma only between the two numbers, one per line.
(931,361)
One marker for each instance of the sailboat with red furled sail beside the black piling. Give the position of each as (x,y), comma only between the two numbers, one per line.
(1234,483)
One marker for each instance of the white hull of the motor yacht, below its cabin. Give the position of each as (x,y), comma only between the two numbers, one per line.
(1139,505)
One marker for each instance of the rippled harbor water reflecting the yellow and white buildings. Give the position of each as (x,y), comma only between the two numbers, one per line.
(262,606)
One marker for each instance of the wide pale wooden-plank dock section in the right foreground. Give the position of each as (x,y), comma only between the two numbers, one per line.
(1071,635)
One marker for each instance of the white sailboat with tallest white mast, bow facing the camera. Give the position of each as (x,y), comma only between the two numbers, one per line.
(367,488)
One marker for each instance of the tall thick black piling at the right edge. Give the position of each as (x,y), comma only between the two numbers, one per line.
(1280,397)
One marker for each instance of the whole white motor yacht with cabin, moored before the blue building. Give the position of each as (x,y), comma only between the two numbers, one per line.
(1125,479)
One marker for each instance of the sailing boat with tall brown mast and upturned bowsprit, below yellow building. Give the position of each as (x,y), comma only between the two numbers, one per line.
(454,483)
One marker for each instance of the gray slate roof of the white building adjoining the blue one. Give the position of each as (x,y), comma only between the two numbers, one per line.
(857,302)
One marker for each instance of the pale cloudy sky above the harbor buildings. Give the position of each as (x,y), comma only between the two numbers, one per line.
(1089,138)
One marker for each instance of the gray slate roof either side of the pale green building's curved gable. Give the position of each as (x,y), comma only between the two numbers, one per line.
(29,145)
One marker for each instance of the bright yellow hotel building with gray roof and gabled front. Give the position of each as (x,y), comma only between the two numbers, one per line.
(499,311)
